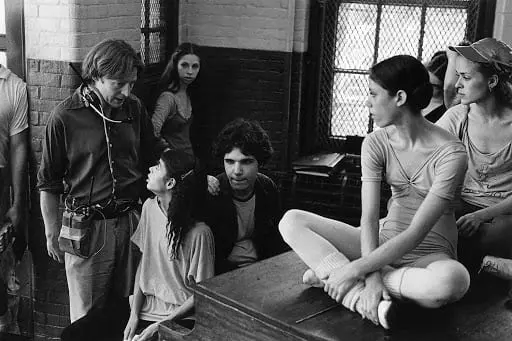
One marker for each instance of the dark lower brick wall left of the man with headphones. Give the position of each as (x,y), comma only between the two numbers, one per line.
(49,83)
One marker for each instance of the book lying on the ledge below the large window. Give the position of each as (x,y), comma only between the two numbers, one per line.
(320,164)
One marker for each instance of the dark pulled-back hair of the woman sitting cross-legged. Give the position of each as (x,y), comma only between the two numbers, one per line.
(405,73)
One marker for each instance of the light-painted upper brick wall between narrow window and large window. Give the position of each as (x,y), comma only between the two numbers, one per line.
(251,24)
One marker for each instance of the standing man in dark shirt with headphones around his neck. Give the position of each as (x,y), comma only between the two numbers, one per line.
(99,144)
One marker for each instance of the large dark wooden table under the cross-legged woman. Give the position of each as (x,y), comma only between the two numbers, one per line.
(264,301)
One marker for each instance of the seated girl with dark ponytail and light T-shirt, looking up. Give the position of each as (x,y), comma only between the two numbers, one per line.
(177,250)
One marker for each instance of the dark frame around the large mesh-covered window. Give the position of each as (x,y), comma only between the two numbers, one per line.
(313,132)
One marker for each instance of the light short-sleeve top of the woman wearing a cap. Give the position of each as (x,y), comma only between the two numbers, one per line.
(488,180)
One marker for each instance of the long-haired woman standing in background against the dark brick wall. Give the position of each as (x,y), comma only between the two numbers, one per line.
(172,116)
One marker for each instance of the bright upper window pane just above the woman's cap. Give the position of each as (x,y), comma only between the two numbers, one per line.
(443,27)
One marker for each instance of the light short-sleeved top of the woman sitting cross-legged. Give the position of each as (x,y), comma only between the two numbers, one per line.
(441,172)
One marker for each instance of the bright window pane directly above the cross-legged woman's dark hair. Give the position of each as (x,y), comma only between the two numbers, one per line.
(399,31)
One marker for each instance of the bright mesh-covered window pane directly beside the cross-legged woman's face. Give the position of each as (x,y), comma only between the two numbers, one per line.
(349,113)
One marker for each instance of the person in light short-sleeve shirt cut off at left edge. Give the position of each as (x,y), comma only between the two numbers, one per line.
(13,165)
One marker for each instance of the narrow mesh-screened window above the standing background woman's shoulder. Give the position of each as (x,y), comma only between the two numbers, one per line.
(153,32)
